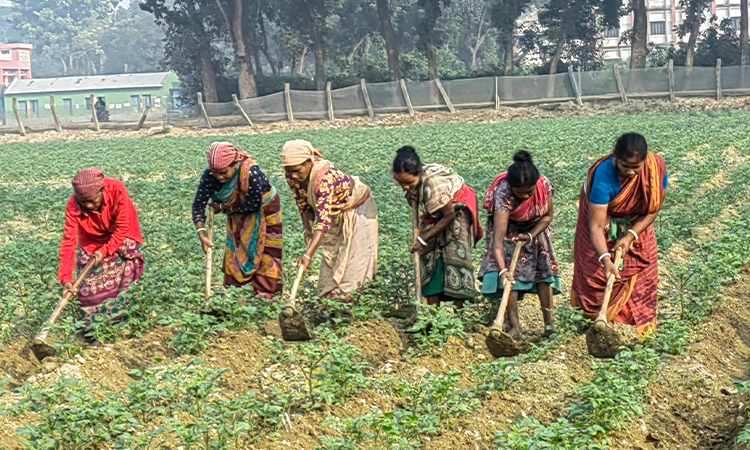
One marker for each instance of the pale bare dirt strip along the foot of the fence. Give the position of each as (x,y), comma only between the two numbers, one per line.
(592,109)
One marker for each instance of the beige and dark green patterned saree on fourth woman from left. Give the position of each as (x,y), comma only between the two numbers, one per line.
(446,263)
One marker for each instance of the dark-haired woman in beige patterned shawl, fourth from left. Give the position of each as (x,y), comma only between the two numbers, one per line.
(448,222)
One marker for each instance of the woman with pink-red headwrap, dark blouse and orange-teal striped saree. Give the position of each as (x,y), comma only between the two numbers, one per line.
(240,189)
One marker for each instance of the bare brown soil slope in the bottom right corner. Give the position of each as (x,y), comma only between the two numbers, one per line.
(694,405)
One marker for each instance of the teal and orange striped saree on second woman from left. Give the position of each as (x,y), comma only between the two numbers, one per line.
(254,243)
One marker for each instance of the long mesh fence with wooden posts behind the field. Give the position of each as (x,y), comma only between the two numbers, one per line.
(408,97)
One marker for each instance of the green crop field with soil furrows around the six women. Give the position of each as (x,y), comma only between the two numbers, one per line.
(189,373)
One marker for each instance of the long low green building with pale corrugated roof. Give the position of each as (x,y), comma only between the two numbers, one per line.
(125,96)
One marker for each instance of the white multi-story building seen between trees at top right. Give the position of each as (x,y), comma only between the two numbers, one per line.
(664,16)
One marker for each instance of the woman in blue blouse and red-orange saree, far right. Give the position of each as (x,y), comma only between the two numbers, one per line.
(622,196)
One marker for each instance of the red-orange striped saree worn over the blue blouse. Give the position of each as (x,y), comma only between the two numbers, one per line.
(634,296)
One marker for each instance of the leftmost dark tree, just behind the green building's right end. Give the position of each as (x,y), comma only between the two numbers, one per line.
(188,44)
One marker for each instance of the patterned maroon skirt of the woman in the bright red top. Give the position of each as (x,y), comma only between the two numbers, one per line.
(101,293)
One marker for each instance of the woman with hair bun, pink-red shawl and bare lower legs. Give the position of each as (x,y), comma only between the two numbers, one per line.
(519,207)
